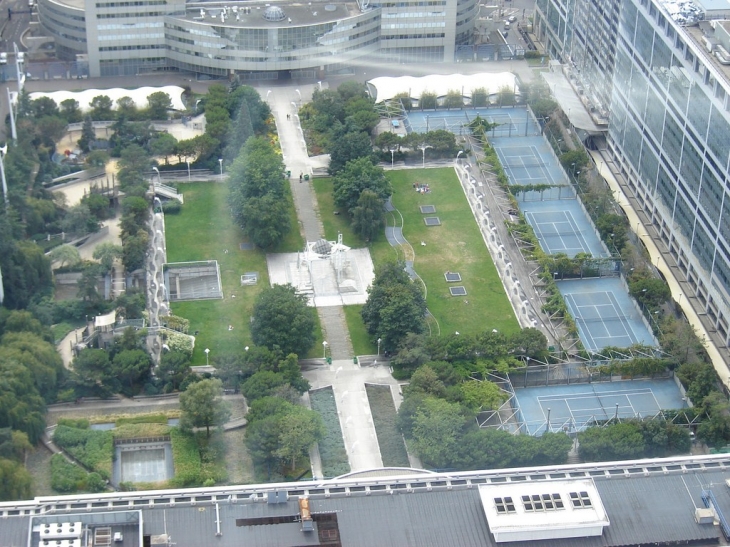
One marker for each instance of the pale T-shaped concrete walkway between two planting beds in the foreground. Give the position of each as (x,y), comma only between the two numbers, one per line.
(348,383)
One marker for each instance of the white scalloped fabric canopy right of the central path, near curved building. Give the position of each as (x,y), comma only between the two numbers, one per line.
(385,88)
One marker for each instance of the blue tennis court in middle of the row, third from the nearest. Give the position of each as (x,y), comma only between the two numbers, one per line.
(562,227)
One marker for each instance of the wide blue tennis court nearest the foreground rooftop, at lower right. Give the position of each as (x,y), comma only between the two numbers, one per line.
(572,408)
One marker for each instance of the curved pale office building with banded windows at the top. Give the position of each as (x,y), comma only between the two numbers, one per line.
(254,40)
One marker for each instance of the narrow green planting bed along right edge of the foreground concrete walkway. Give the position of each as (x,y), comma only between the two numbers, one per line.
(382,407)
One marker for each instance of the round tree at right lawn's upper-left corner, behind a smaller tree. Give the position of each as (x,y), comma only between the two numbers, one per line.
(357,176)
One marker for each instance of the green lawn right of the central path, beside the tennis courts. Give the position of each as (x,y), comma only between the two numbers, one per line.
(455,246)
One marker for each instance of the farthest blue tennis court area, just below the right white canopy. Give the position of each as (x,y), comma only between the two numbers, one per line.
(513,122)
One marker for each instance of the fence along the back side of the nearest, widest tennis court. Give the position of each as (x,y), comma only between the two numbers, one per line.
(568,374)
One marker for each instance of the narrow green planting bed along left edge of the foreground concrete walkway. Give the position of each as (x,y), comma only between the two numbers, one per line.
(332,446)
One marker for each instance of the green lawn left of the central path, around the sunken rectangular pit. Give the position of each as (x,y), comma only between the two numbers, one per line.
(204,230)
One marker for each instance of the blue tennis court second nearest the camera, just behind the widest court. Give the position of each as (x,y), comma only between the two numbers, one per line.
(605,314)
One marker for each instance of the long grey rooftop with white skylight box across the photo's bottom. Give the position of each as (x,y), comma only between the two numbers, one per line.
(646,502)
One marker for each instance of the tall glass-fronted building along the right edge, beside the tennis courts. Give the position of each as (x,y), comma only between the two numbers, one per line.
(667,86)
